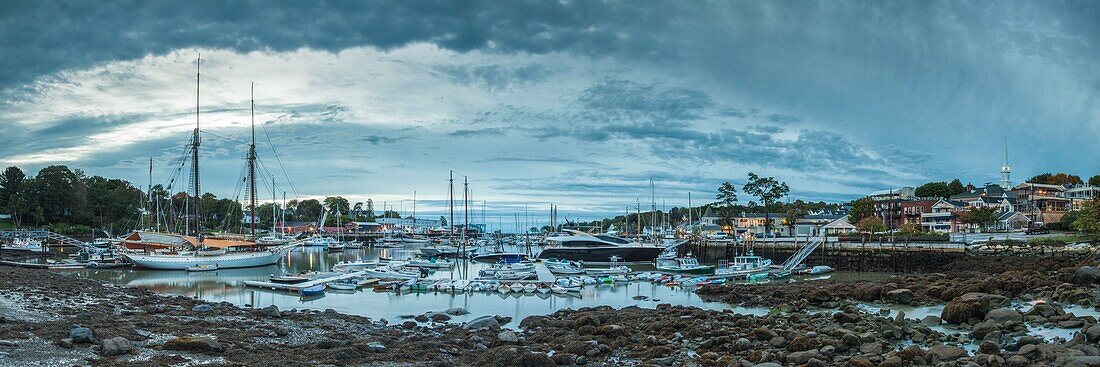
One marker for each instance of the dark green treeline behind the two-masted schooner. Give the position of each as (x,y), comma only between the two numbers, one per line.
(69,202)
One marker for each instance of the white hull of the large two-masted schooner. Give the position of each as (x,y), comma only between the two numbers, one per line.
(230,261)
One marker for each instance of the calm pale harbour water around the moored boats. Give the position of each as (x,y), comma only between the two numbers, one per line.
(228,286)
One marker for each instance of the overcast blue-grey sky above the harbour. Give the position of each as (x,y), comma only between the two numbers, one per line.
(575,103)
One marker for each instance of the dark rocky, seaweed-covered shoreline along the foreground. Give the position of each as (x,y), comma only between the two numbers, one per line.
(53,319)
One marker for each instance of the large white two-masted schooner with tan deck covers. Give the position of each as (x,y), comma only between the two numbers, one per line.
(192,250)
